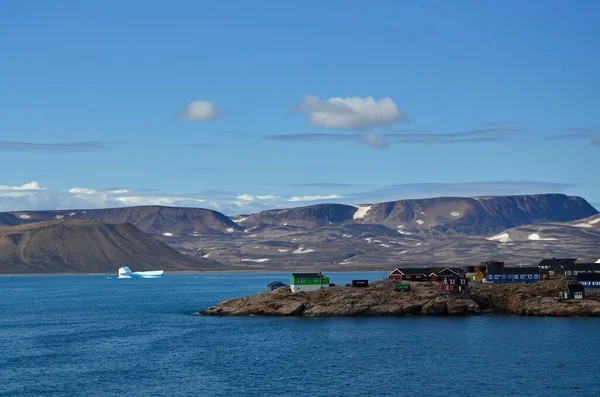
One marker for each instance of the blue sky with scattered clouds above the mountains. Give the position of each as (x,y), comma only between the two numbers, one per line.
(99,103)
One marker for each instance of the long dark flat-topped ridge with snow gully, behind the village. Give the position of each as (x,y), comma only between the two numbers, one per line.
(439,217)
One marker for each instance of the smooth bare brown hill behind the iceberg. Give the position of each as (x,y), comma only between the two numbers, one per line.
(84,246)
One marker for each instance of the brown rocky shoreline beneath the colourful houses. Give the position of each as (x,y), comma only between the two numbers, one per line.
(380,299)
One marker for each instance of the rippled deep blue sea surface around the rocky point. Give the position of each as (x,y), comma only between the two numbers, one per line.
(93,336)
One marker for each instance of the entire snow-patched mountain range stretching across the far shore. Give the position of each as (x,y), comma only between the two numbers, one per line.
(446,230)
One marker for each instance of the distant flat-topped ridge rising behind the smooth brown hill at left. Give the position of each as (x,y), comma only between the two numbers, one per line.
(154,220)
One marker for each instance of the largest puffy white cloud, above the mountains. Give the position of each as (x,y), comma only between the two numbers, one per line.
(352,113)
